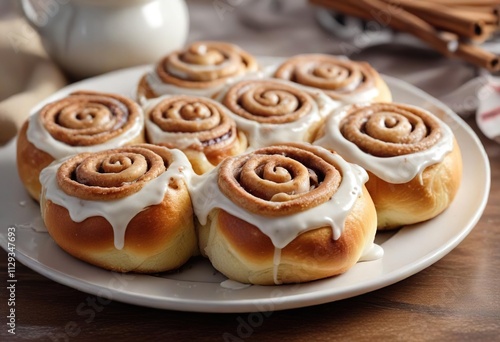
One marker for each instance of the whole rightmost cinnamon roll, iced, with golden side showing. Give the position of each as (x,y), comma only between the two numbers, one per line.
(412,158)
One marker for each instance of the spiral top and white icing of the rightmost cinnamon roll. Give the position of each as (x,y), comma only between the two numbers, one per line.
(404,158)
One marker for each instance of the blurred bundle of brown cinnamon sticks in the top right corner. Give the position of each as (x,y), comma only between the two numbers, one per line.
(455,28)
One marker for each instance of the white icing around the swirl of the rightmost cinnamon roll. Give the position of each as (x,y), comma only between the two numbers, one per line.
(395,170)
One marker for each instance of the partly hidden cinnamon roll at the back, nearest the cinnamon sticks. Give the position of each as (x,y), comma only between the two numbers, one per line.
(340,78)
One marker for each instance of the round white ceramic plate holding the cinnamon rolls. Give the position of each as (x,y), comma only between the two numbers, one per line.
(197,286)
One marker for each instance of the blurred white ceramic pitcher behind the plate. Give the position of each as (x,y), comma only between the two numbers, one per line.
(90,37)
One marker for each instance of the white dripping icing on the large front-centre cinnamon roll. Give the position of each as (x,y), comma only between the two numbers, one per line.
(207,196)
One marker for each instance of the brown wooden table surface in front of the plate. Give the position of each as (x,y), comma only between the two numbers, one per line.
(457,298)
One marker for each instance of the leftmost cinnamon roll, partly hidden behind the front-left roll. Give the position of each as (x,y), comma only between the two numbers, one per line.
(82,121)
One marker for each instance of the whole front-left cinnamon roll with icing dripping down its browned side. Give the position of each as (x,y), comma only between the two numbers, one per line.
(125,209)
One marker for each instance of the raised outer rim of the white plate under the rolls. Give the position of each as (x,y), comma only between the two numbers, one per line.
(291,301)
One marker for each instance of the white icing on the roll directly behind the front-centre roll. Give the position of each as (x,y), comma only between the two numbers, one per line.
(265,134)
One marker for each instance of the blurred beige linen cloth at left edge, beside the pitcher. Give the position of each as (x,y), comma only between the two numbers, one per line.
(27,75)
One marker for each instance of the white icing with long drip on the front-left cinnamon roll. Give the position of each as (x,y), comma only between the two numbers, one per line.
(117,212)
